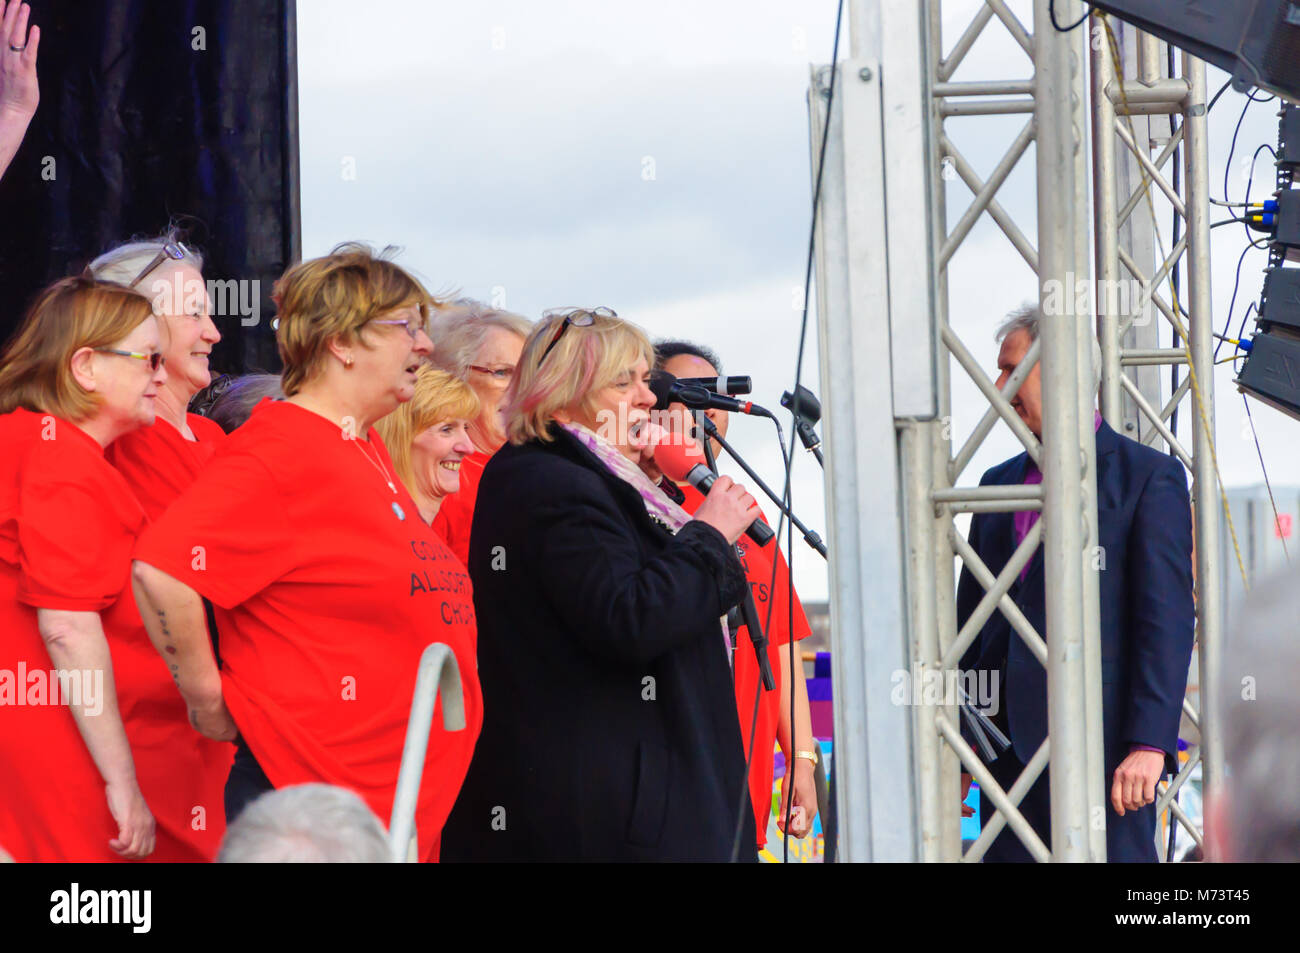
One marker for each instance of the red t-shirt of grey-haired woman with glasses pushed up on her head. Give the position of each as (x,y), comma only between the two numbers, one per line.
(179,769)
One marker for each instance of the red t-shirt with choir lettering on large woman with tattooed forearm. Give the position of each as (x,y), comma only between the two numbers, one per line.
(326,601)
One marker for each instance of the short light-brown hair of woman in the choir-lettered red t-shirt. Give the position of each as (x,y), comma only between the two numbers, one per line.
(336,296)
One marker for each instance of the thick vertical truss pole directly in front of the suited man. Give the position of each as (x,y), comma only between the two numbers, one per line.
(1068,483)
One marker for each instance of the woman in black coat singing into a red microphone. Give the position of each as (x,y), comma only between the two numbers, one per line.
(610,730)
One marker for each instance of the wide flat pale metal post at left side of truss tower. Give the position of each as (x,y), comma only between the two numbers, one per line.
(876,786)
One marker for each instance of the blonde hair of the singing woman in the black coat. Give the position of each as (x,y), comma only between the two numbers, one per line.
(584,362)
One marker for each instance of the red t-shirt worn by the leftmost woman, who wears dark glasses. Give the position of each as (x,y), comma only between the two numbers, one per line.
(68,523)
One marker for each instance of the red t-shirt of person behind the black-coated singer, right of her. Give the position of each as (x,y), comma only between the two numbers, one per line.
(757,562)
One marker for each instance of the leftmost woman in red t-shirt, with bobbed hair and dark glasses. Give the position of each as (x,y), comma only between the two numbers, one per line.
(84,370)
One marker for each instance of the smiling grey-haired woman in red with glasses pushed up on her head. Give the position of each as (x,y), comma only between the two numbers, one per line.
(183,777)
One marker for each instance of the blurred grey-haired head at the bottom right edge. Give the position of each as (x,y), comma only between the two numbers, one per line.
(1262,716)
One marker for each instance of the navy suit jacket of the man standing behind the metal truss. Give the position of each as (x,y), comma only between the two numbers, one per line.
(1147,610)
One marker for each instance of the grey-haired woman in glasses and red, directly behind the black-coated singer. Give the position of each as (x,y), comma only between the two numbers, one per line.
(480,346)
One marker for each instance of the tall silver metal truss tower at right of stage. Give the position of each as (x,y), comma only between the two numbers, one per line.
(896,474)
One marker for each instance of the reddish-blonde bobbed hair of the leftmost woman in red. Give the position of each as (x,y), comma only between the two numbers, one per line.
(36,370)
